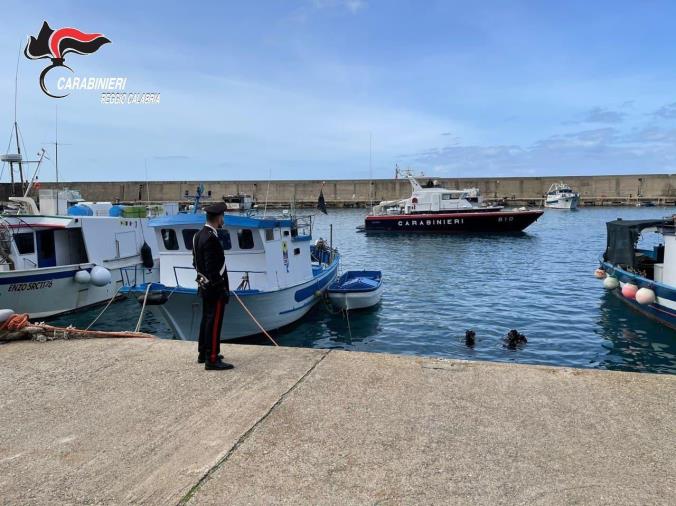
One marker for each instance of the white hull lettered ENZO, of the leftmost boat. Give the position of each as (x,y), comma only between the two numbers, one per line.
(50,291)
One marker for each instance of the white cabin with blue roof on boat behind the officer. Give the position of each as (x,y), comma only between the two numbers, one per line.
(261,254)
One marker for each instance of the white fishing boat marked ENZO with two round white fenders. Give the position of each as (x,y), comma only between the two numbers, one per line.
(51,265)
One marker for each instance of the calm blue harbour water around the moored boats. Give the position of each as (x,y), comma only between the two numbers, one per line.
(540,282)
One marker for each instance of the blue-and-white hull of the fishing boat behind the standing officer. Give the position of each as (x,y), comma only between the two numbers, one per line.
(273,310)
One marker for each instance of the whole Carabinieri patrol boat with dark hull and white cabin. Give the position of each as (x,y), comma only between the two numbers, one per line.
(446,211)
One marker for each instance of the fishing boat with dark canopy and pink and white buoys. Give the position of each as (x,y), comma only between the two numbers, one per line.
(645,278)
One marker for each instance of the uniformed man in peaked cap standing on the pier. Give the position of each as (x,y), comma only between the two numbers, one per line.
(212,278)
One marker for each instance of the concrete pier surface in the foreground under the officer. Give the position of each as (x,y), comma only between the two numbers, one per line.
(138,421)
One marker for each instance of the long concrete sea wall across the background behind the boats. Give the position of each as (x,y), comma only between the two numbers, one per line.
(355,192)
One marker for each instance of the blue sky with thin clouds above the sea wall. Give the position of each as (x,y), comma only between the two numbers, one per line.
(331,89)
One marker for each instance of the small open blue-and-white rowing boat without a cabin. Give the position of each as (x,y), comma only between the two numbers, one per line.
(356,290)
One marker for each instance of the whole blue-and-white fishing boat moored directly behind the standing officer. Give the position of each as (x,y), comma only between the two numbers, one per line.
(276,274)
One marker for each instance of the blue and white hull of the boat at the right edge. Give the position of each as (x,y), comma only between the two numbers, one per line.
(663,310)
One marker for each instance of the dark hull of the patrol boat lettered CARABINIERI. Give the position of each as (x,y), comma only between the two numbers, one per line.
(467,222)
